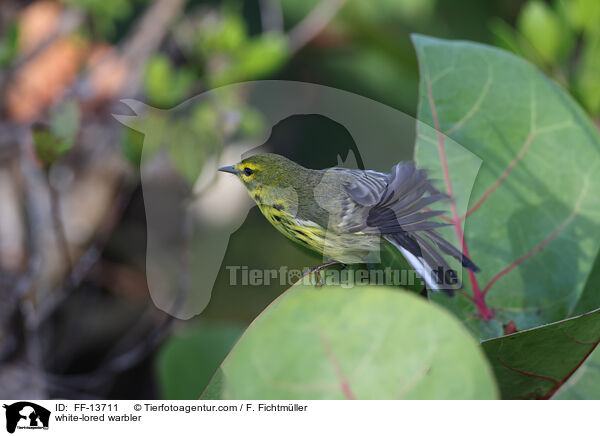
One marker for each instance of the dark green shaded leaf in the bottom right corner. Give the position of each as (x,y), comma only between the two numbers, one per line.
(537,362)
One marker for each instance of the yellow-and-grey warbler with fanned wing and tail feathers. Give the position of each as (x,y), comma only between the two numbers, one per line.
(347,214)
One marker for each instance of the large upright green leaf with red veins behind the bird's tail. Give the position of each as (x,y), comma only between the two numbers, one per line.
(535,211)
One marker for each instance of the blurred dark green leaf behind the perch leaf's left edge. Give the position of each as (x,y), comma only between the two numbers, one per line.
(187,361)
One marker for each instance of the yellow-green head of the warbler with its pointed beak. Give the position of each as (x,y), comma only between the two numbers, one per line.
(264,170)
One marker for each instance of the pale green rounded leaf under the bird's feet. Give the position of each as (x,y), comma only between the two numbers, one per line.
(364,343)
